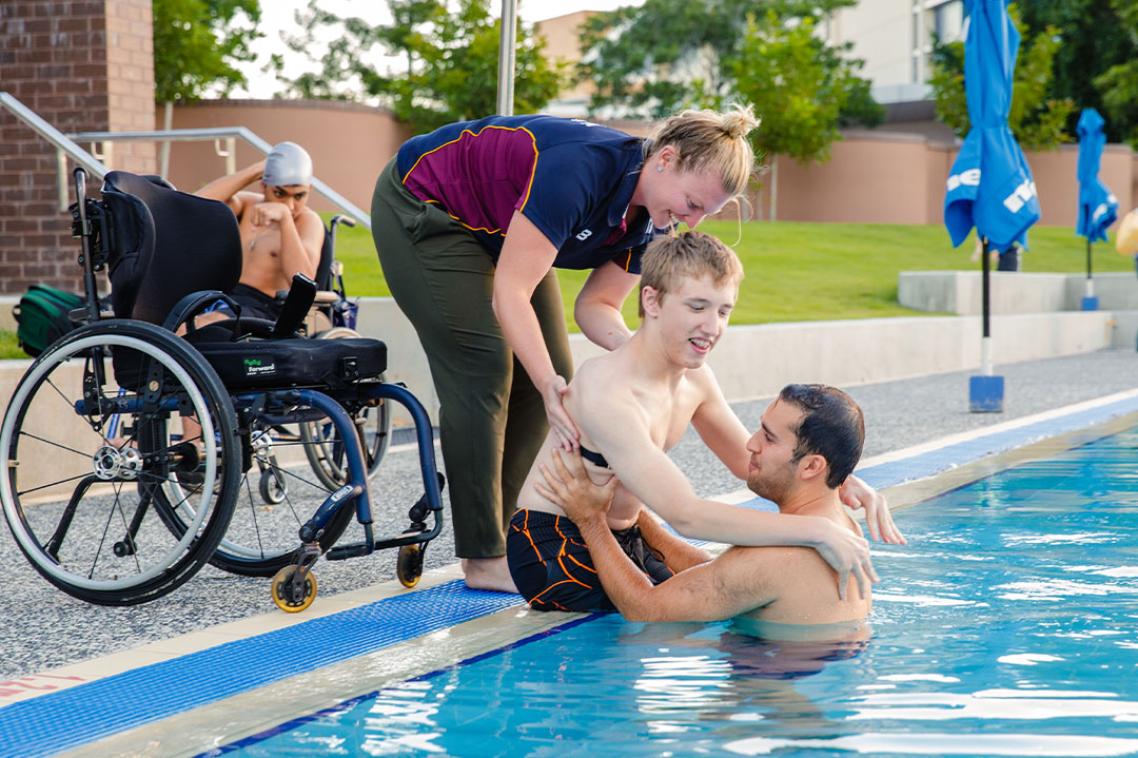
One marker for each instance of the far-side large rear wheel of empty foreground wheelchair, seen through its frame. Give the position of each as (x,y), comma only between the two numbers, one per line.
(263,535)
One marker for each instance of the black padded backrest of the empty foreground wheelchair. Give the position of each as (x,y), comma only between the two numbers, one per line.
(166,245)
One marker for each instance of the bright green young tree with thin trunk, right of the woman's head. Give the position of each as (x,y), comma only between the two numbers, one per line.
(799,86)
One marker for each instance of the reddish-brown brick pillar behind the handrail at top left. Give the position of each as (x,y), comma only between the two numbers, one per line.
(83,65)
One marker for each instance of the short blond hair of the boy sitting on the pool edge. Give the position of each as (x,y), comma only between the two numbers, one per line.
(689,256)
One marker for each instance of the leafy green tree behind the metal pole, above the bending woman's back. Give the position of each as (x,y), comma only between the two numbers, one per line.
(451,54)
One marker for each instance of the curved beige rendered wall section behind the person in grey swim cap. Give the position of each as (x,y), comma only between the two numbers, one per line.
(350,144)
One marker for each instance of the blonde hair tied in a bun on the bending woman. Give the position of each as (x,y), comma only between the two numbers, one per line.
(706,139)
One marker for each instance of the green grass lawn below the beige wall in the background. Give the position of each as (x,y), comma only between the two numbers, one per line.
(809,271)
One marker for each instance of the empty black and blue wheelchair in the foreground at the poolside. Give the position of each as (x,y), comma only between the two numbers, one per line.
(129,448)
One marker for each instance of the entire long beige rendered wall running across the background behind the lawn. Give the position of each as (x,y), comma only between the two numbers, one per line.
(871,178)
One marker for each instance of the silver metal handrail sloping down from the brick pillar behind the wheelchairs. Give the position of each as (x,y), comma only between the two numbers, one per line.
(67,147)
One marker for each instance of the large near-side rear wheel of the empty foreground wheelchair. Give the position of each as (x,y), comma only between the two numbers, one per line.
(92,436)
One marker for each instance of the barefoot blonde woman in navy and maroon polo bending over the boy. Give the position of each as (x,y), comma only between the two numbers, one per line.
(471,221)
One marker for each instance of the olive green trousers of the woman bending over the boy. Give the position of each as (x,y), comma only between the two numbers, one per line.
(492,419)
